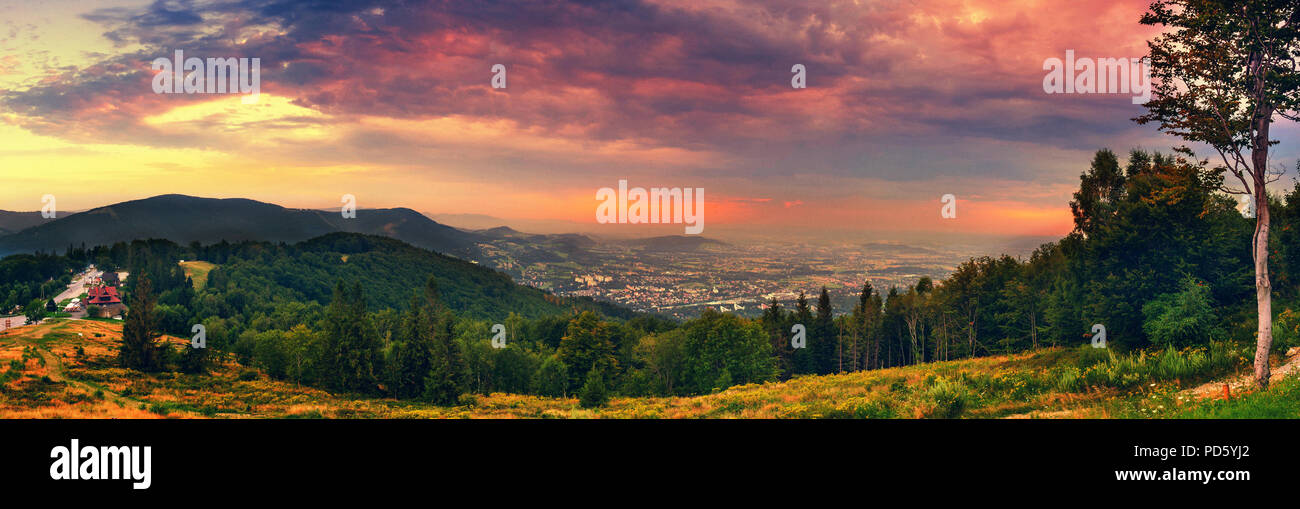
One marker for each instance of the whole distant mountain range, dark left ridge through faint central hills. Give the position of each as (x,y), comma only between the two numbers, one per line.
(189,219)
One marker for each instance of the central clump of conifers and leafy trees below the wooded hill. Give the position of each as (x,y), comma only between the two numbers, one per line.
(427,353)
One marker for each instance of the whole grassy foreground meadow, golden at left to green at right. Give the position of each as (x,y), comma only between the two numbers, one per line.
(66,369)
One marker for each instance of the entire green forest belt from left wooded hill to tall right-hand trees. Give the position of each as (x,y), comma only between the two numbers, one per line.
(1155,259)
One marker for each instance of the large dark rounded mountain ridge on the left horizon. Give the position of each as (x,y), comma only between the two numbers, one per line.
(188,219)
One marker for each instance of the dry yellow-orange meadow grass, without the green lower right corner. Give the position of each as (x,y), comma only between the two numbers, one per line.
(79,379)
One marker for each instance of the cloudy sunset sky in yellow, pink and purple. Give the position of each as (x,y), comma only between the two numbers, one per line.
(905,102)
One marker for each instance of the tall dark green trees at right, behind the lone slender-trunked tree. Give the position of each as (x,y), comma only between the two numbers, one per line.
(1156,259)
